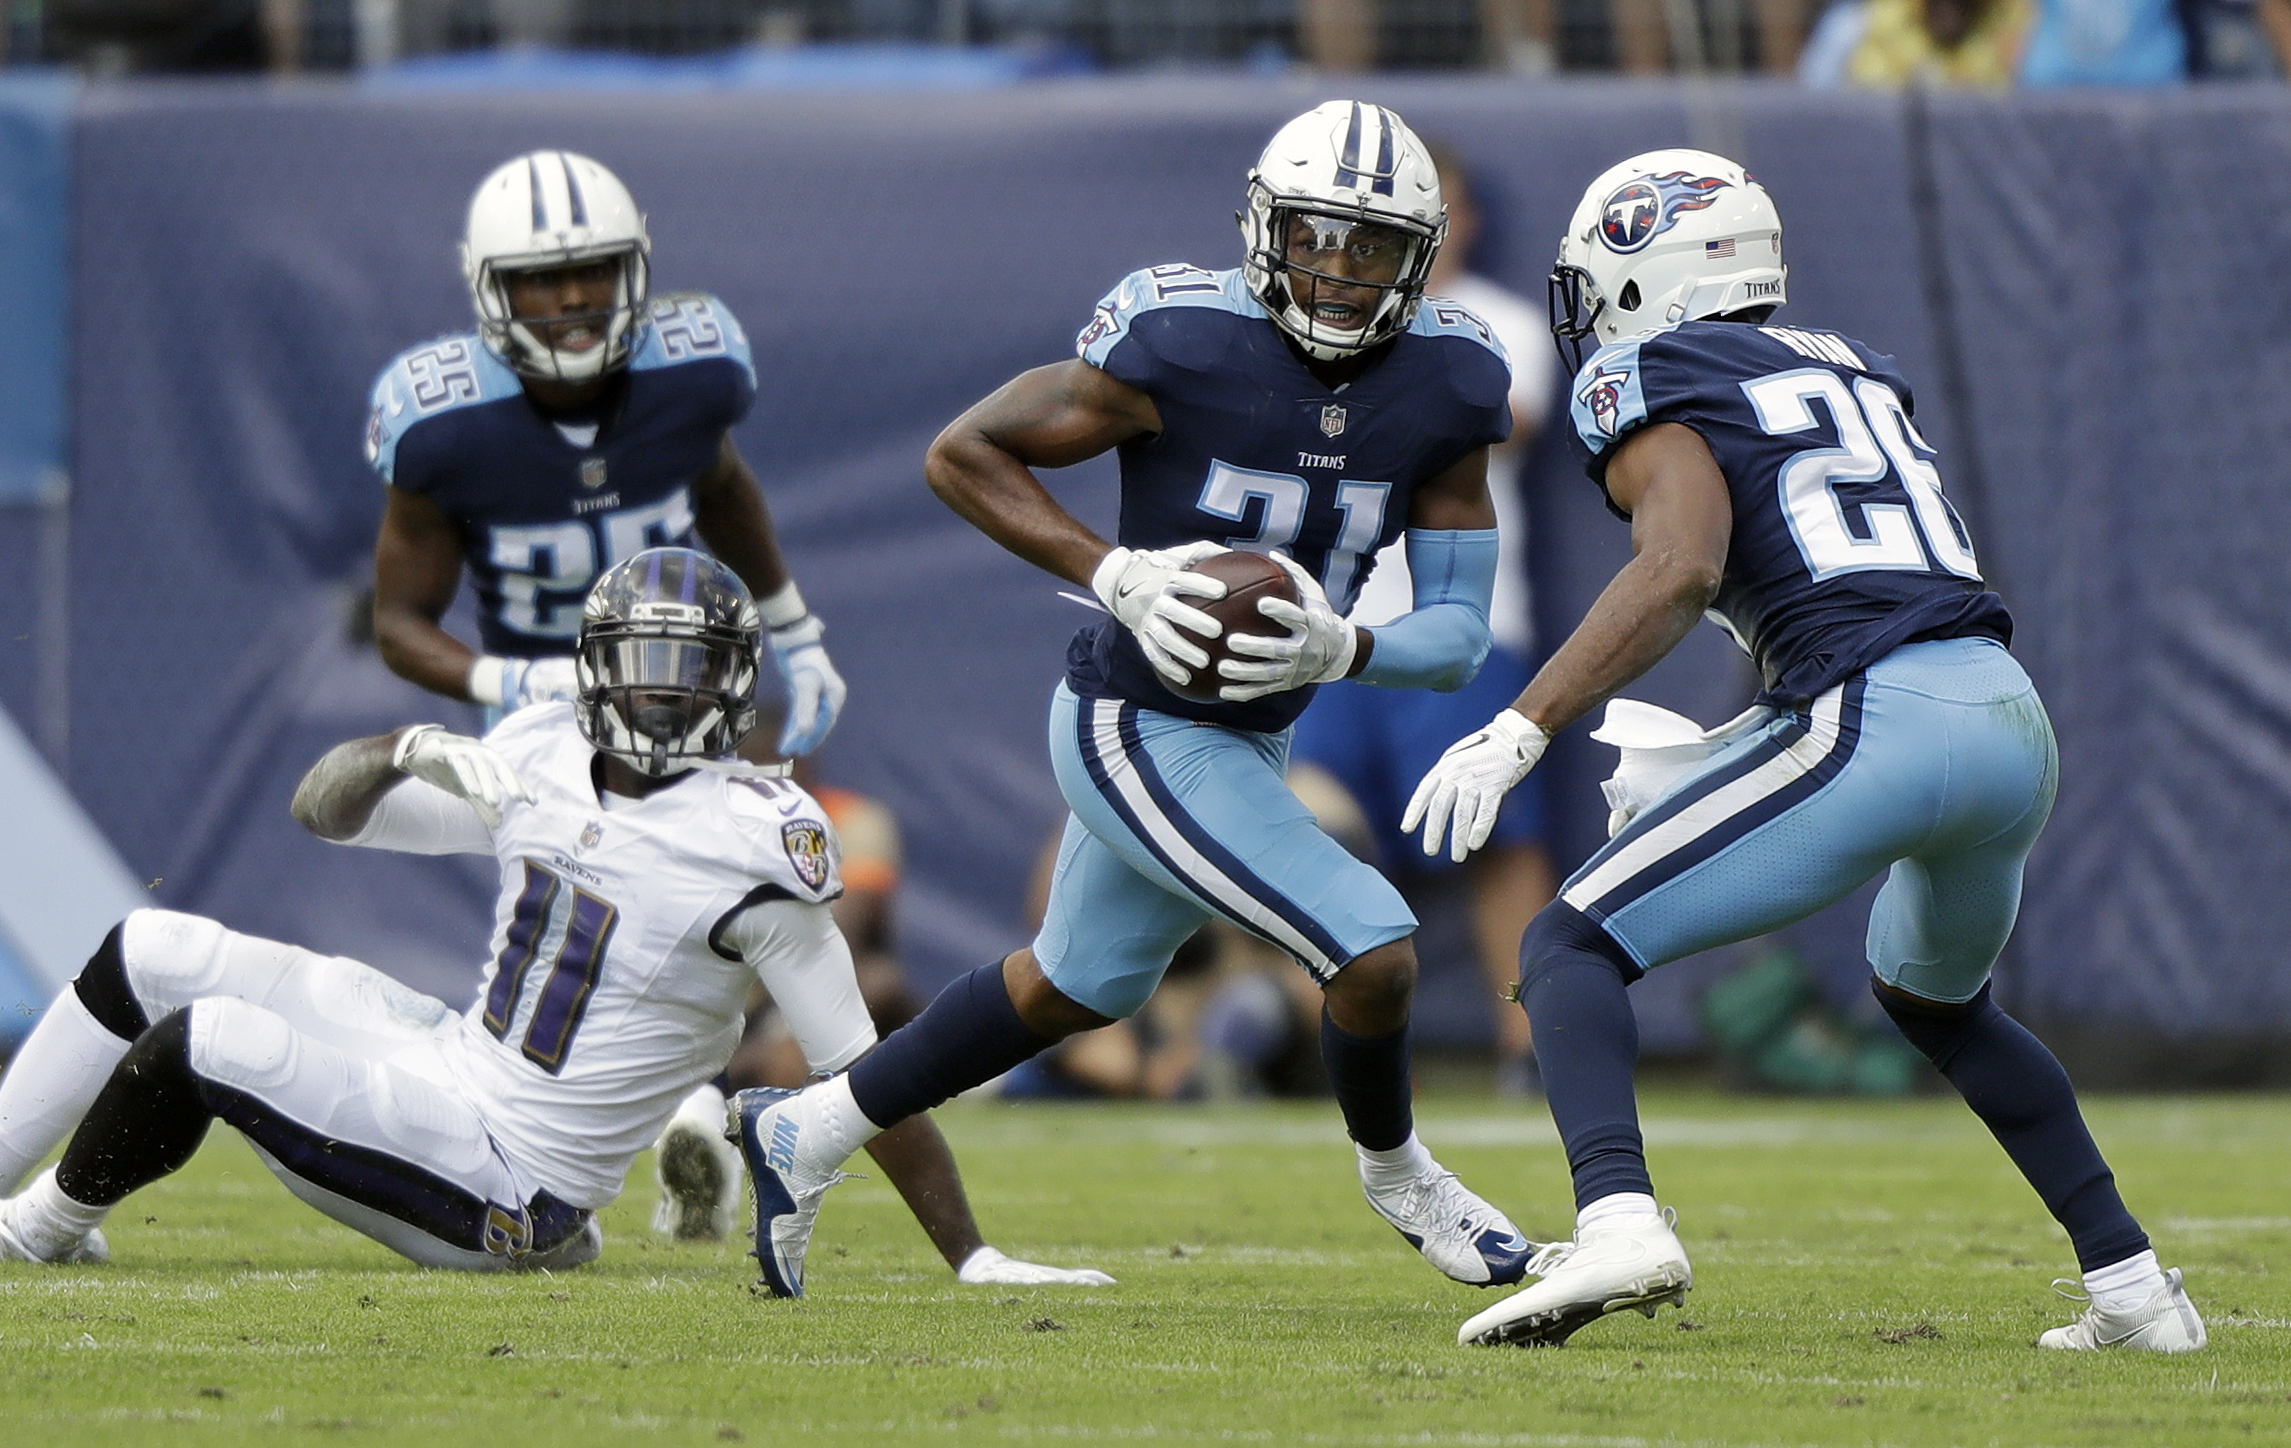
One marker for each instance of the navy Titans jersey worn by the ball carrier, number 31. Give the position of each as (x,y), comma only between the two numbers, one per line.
(1261,455)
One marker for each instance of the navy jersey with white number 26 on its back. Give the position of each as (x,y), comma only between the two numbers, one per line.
(1843,544)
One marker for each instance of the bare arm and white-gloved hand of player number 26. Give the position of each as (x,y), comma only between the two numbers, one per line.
(1683,521)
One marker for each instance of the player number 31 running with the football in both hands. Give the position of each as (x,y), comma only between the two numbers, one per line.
(1309,407)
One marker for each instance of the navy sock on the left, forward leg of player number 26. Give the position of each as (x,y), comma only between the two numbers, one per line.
(1587,1044)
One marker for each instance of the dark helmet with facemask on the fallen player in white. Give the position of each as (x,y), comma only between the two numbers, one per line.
(668,661)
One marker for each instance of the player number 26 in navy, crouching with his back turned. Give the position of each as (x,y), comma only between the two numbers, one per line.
(1774,475)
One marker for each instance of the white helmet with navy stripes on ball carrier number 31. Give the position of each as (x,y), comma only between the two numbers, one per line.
(1369,191)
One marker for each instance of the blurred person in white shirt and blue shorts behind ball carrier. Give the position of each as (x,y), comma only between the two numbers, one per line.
(1378,743)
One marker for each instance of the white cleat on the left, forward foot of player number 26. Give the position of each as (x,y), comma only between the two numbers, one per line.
(1605,1270)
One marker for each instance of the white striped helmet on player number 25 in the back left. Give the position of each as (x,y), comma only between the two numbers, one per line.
(551,210)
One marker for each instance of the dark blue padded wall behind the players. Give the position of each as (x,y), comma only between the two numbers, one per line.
(2088,292)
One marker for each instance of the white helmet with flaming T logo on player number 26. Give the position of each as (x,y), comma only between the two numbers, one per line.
(1664,237)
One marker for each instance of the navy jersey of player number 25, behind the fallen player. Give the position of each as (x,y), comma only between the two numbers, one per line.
(546,507)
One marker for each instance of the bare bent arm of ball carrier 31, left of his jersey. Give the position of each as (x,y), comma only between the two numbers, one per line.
(1055,416)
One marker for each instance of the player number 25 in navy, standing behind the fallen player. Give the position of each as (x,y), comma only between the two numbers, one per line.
(581,425)
